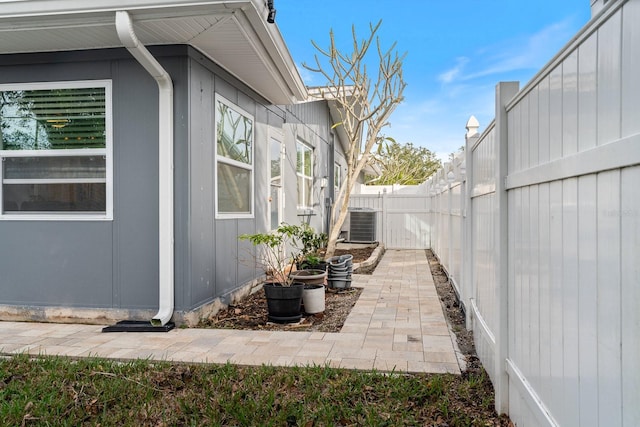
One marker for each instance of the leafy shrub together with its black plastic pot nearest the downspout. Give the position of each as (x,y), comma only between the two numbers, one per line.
(283,294)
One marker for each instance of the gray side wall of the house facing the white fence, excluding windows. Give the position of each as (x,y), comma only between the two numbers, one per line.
(219,263)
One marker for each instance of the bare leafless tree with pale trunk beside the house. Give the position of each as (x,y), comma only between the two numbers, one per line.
(364,103)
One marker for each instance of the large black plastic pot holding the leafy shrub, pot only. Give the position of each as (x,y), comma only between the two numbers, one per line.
(284,303)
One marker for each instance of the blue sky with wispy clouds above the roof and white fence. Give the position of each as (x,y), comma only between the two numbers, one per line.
(457,50)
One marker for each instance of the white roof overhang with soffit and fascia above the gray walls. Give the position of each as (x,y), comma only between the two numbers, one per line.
(234,34)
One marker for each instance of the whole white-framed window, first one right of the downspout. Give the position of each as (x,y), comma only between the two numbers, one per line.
(234,160)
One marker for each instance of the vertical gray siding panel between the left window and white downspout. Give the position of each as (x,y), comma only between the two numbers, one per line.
(135,242)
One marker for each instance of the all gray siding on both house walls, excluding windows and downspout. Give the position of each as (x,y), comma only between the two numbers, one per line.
(113,264)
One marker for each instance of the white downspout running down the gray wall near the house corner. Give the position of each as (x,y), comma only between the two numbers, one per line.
(127,36)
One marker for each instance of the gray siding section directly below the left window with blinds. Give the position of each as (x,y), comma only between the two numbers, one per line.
(56,264)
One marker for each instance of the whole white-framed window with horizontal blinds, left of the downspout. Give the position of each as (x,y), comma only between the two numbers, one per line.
(55,150)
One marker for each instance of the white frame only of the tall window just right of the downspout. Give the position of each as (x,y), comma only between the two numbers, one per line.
(231,162)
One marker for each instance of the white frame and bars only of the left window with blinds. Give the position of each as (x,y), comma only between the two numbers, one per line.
(107,151)
